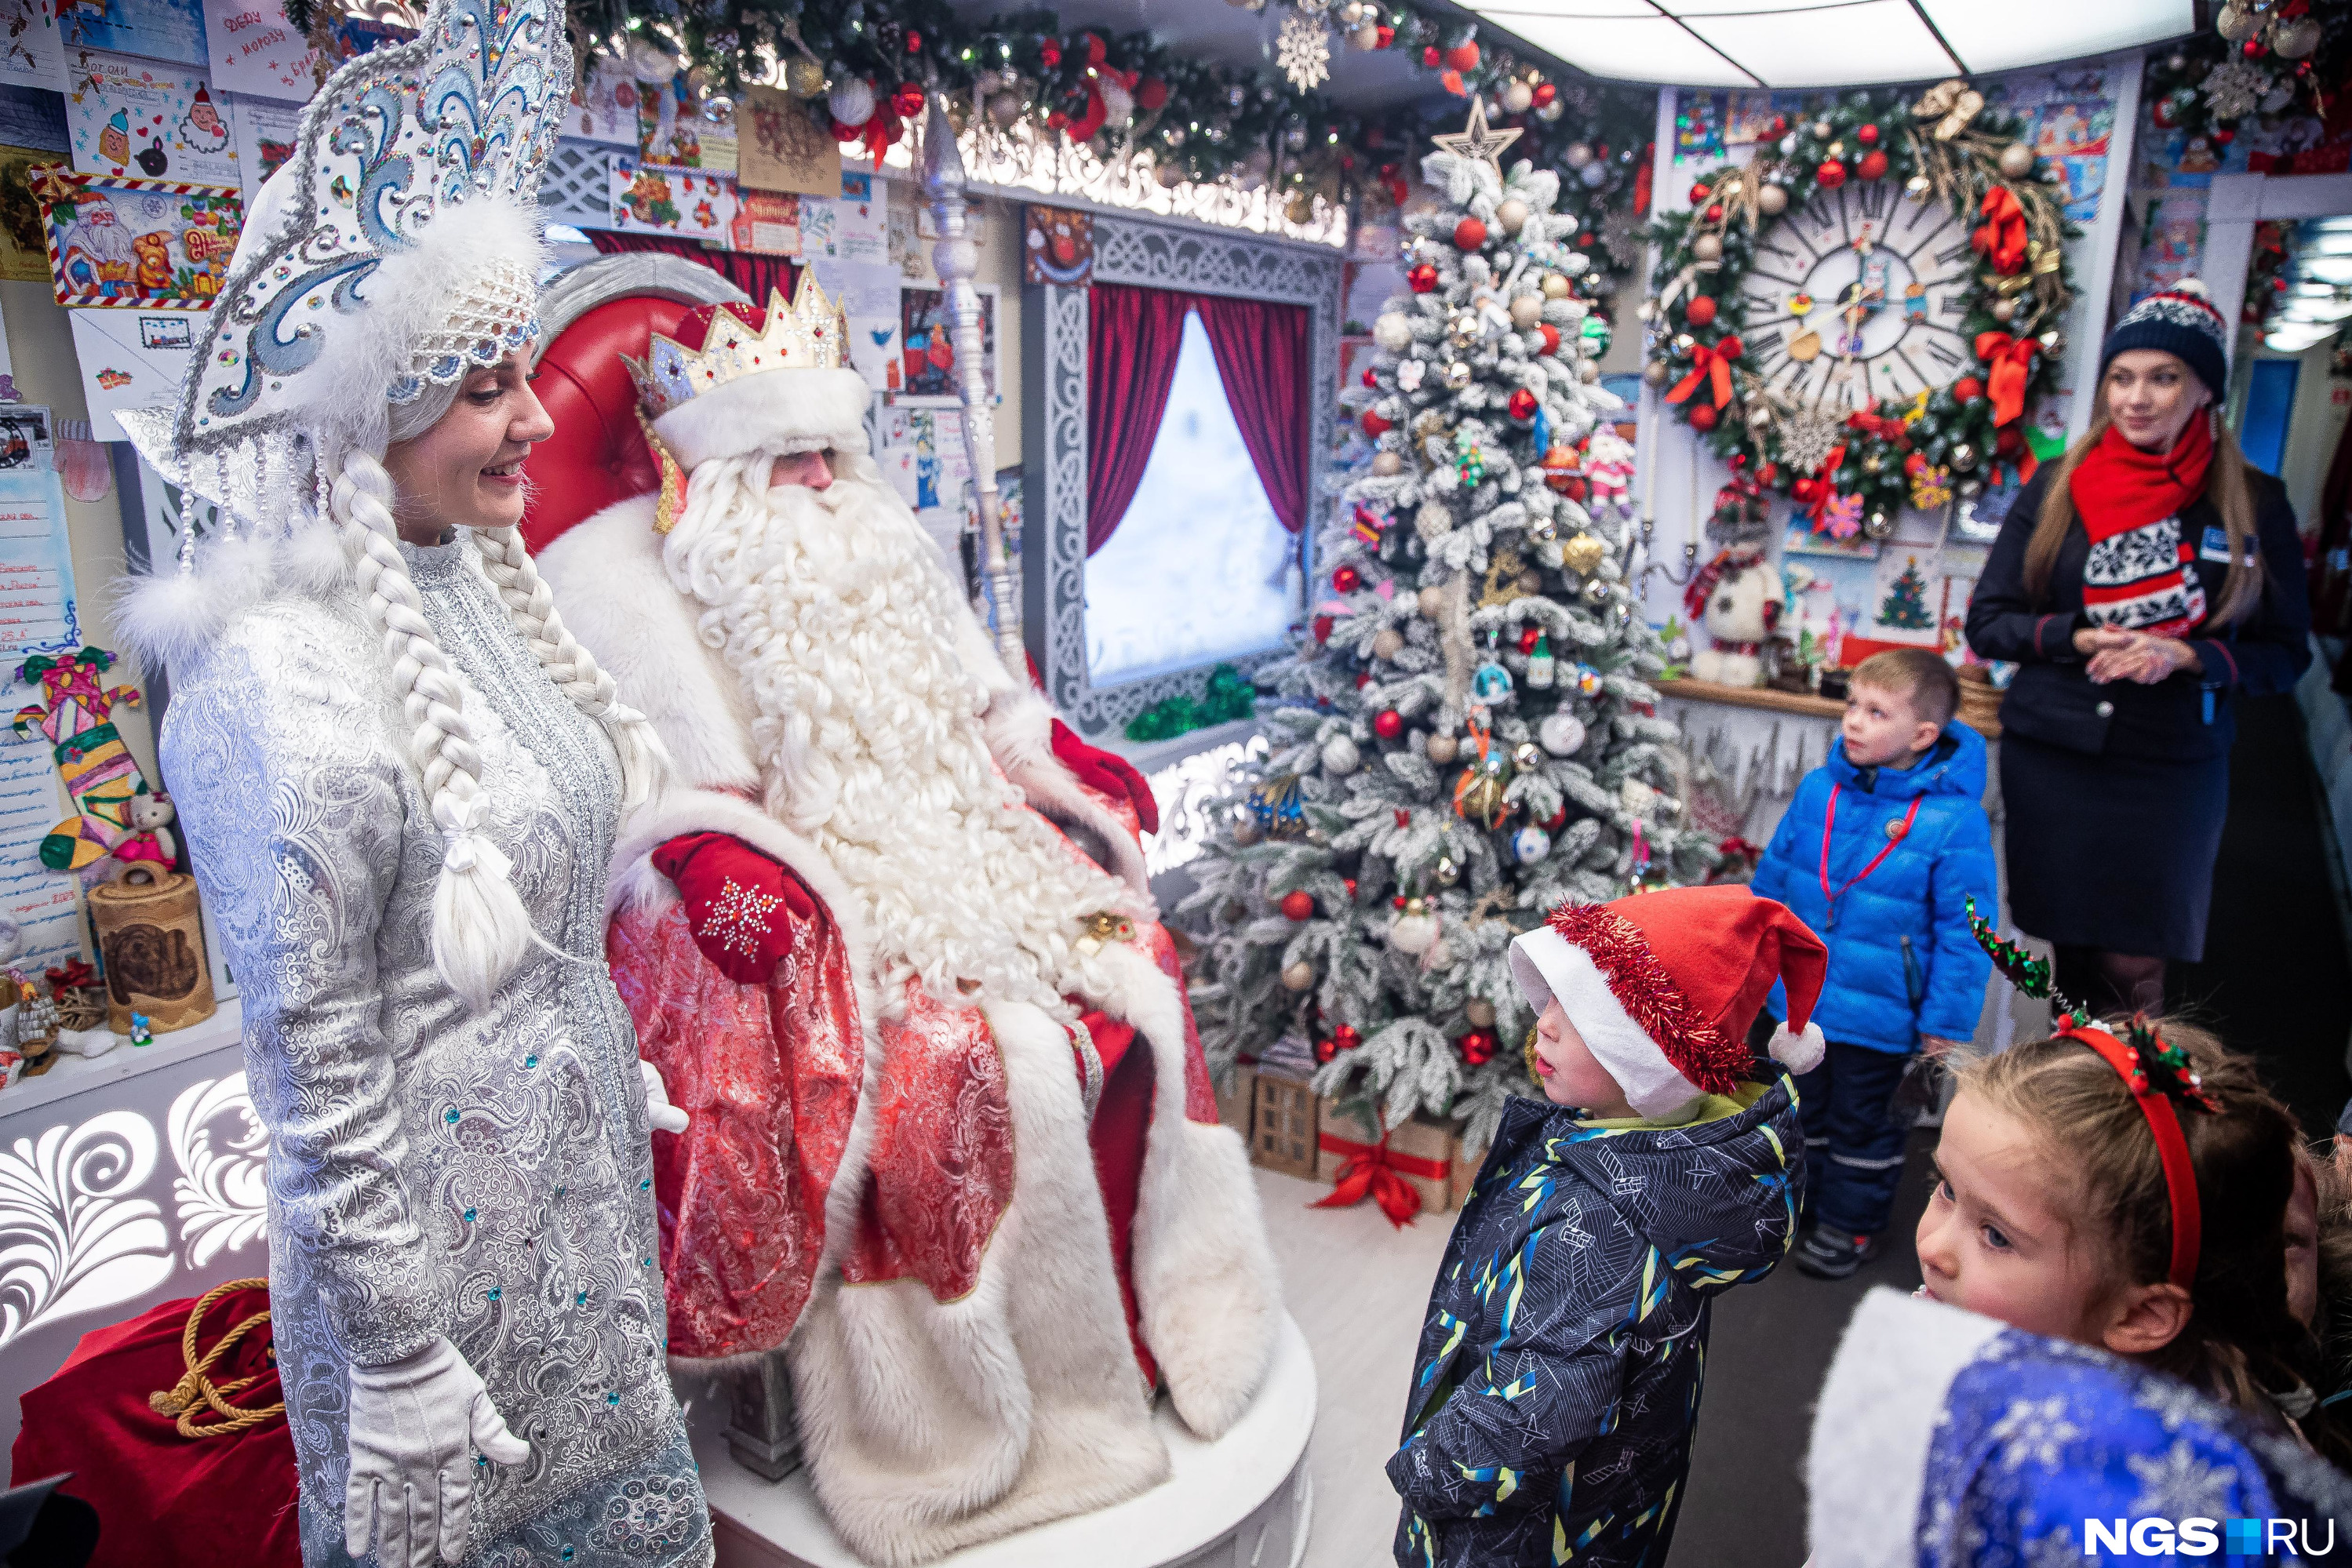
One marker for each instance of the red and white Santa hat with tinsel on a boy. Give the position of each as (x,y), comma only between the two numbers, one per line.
(1664,986)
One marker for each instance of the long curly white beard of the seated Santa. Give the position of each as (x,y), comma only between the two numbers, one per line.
(838,615)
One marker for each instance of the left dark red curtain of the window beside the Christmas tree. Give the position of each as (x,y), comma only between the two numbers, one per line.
(1132,340)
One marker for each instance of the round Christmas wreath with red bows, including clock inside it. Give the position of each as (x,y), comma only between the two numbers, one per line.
(1866,309)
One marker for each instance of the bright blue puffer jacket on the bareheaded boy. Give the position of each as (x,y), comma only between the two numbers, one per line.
(1902,958)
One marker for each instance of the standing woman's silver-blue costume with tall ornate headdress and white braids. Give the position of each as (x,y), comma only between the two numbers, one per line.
(401,784)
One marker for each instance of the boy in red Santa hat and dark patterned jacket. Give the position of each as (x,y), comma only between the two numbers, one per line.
(1556,1391)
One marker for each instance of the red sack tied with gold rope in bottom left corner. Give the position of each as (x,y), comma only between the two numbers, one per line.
(222,1499)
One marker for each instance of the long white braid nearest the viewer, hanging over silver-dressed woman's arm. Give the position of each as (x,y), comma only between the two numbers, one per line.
(479,923)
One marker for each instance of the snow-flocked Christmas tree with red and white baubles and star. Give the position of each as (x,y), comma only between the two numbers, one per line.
(1466,737)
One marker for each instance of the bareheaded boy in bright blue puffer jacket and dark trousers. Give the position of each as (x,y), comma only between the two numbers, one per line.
(1880,852)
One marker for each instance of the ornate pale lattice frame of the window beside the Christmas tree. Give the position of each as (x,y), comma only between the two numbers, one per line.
(1055,443)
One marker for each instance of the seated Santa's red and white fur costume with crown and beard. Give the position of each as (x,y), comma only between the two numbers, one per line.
(954,1139)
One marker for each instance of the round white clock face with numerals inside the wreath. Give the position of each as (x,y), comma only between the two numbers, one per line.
(1859,295)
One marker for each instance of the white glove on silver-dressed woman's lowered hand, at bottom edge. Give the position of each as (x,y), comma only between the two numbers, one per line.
(413,1433)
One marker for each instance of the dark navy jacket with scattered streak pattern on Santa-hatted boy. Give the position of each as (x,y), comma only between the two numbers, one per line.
(1561,1362)
